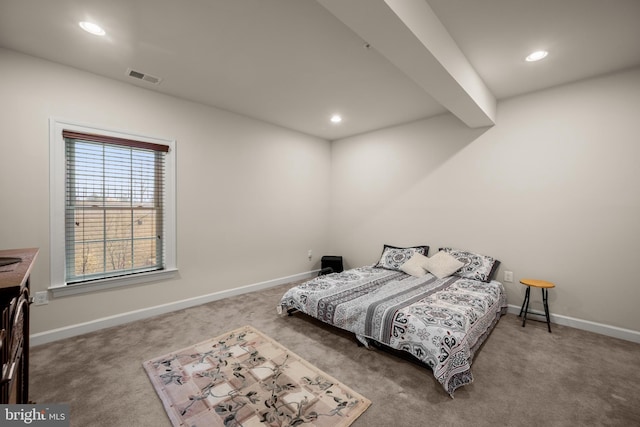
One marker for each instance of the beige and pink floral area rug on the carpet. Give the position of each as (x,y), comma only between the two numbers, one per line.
(244,378)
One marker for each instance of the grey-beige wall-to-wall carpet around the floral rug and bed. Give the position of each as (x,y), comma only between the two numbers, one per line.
(523,376)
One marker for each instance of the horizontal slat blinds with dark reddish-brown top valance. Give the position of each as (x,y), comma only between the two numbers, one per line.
(114,206)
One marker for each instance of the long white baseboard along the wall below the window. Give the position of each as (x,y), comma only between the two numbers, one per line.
(119,319)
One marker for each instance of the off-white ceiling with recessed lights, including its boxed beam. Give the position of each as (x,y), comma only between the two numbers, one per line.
(296,62)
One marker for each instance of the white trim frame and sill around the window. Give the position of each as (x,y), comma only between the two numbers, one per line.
(57,209)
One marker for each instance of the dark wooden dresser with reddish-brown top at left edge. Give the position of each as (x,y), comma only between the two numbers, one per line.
(14,327)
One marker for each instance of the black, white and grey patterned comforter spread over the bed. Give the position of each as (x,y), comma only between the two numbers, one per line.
(441,322)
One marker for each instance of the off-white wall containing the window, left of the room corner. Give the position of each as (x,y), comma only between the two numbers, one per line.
(252,197)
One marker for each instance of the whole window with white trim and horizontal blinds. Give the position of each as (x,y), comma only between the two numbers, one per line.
(113,220)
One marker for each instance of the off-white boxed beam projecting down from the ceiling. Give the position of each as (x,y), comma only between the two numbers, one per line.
(410,35)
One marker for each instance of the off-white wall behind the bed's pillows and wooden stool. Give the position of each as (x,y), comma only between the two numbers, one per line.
(552,190)
